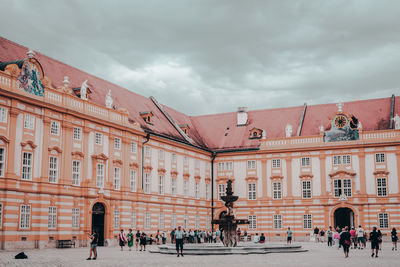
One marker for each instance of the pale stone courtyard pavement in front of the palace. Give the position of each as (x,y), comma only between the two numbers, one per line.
(318,255)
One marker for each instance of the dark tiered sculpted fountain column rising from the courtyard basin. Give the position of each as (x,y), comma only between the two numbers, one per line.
(227,223)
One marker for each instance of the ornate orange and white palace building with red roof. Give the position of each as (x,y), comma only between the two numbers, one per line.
(79,153)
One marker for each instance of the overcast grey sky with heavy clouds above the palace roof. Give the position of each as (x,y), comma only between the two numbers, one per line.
(203,57)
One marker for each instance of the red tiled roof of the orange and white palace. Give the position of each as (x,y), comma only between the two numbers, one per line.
(217,131)
